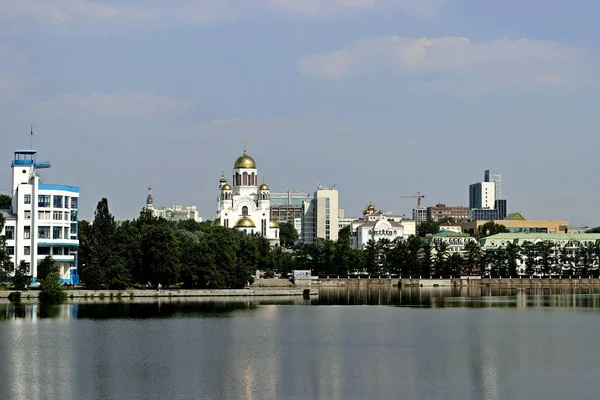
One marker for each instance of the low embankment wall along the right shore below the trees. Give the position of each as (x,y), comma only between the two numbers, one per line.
(508,283)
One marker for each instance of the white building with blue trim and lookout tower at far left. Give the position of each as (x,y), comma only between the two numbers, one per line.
(42,220)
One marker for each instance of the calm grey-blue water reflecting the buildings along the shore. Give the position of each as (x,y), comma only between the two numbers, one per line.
(378,344)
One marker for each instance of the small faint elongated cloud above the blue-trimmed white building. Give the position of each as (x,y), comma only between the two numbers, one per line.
(122,105)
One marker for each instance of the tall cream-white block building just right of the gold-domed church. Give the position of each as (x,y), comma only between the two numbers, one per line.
(320,215)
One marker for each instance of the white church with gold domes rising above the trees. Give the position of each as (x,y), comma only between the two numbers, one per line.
(245,205)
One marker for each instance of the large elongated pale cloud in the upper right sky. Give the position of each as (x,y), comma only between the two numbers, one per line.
(502,60)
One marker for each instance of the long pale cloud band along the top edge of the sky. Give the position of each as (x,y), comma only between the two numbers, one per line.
(197,11)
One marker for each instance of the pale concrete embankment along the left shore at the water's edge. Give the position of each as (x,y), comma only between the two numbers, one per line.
(258,292)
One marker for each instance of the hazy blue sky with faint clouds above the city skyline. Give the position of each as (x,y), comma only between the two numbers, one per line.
(384,98)
